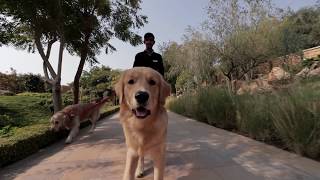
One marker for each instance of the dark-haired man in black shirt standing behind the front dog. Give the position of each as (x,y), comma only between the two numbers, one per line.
(148,58)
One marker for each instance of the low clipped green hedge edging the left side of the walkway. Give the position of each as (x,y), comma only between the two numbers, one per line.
(32,138)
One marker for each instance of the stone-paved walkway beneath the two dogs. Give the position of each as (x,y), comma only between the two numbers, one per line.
(195,152)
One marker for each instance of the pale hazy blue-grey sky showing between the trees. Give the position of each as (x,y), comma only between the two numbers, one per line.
(168,20)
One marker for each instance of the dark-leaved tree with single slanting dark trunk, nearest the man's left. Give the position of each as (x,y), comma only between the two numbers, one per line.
(95,22)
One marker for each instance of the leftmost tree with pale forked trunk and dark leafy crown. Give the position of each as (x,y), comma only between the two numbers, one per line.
(34,25)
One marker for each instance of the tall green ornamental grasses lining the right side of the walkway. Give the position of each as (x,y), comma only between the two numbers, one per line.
(289,118)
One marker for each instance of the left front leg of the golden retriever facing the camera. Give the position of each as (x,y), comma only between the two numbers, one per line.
(131,164)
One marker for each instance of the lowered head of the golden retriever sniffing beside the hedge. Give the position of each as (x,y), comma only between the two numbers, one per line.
(60,120)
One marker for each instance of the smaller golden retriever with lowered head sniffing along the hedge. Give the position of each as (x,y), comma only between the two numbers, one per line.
(71,116)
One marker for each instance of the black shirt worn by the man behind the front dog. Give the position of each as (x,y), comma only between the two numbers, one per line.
(154,61)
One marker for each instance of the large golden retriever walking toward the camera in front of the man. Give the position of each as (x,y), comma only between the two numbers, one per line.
(142,92)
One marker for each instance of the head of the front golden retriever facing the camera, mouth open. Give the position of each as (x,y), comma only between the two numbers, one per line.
(142,90)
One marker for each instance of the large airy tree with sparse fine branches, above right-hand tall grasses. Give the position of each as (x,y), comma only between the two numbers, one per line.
(241,33)
